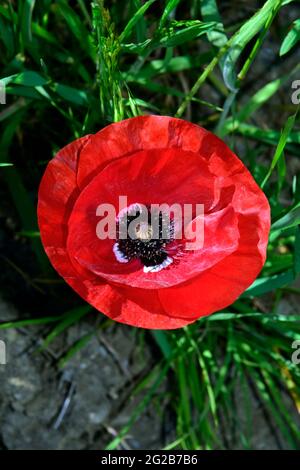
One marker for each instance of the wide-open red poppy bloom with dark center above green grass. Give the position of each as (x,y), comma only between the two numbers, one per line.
(153,160)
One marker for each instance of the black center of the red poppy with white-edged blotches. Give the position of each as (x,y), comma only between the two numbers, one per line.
(144,235)
